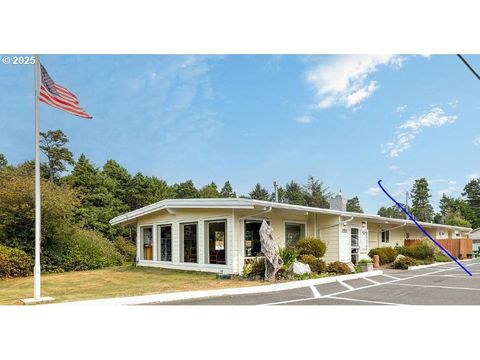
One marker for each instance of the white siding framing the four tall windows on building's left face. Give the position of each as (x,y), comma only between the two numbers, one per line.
(189,215)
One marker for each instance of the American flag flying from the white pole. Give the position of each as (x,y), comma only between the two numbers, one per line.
(59,97)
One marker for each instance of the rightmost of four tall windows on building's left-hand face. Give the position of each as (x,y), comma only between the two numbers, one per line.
(216,242)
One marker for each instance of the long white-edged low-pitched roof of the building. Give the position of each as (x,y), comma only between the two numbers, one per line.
(240,203)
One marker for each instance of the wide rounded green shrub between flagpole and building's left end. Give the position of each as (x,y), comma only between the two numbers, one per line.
(81,250)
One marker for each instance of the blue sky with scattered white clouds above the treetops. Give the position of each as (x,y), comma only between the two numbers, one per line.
(347,120)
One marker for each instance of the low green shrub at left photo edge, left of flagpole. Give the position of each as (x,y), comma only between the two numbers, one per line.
(14,262)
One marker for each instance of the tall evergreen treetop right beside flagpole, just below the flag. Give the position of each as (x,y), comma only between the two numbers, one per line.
(53,145)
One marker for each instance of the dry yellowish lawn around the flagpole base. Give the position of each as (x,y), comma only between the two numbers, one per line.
(114,282)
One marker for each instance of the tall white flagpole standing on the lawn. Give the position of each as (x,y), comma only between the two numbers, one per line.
(38,215)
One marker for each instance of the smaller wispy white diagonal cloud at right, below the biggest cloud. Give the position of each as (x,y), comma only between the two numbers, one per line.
(409,130)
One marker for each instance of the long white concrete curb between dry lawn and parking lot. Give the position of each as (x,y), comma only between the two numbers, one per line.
(188,295)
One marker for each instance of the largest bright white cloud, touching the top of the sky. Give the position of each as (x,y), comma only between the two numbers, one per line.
(344,80)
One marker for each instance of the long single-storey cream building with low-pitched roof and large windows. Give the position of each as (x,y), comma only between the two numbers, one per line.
(220,235)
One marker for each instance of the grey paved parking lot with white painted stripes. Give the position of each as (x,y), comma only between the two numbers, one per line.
(439,285)
